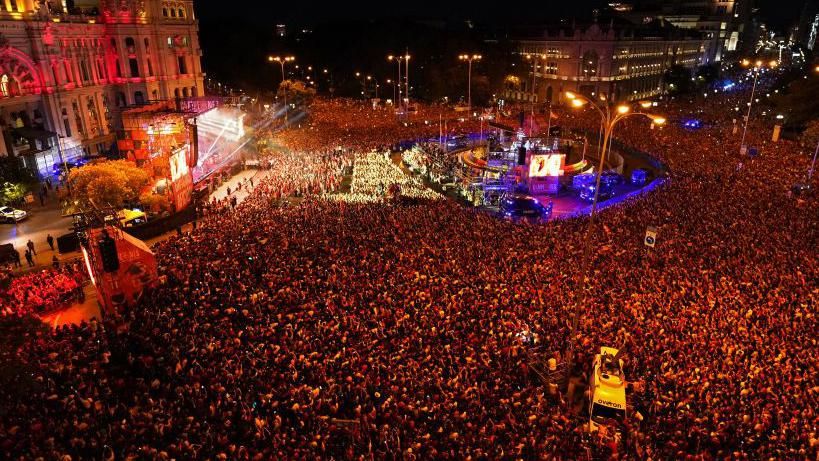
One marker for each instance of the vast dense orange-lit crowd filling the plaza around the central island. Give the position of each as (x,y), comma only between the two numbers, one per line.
(334,330)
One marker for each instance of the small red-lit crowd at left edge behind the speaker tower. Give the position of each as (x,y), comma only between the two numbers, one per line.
(42,291)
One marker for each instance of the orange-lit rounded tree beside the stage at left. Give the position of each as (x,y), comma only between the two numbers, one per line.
(110,183)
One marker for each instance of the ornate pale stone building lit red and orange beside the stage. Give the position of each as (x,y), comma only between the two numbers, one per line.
(65,76)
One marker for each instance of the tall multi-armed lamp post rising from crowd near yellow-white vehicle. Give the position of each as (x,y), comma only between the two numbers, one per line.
(611,116)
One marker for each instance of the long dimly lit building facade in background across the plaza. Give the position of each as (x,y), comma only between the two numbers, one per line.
(619,62)
